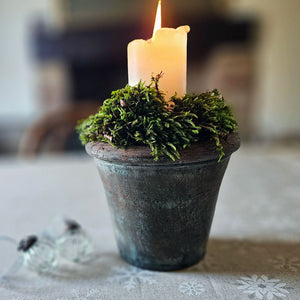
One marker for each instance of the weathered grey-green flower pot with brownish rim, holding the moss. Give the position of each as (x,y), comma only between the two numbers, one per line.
(162,211)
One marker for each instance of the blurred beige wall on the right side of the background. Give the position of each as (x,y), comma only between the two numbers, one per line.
(278,65)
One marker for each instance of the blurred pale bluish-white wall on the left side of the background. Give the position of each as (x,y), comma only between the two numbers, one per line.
(17,90)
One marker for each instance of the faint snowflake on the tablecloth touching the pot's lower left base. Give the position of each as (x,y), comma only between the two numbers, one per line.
(131,277)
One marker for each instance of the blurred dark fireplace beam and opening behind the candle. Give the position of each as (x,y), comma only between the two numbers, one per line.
(96,58)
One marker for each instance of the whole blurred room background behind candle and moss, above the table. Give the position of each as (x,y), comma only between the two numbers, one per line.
(59,59)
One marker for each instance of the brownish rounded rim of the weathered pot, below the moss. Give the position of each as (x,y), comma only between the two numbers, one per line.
(199,152)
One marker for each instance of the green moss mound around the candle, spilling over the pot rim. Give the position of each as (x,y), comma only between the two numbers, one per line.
(139,115)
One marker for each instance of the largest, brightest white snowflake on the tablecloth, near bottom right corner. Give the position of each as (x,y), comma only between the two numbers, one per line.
(262,287)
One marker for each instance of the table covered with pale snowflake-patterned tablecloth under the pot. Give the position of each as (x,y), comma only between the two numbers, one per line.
(253,251)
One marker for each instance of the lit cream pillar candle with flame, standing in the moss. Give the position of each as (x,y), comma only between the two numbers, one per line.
(164,52)
